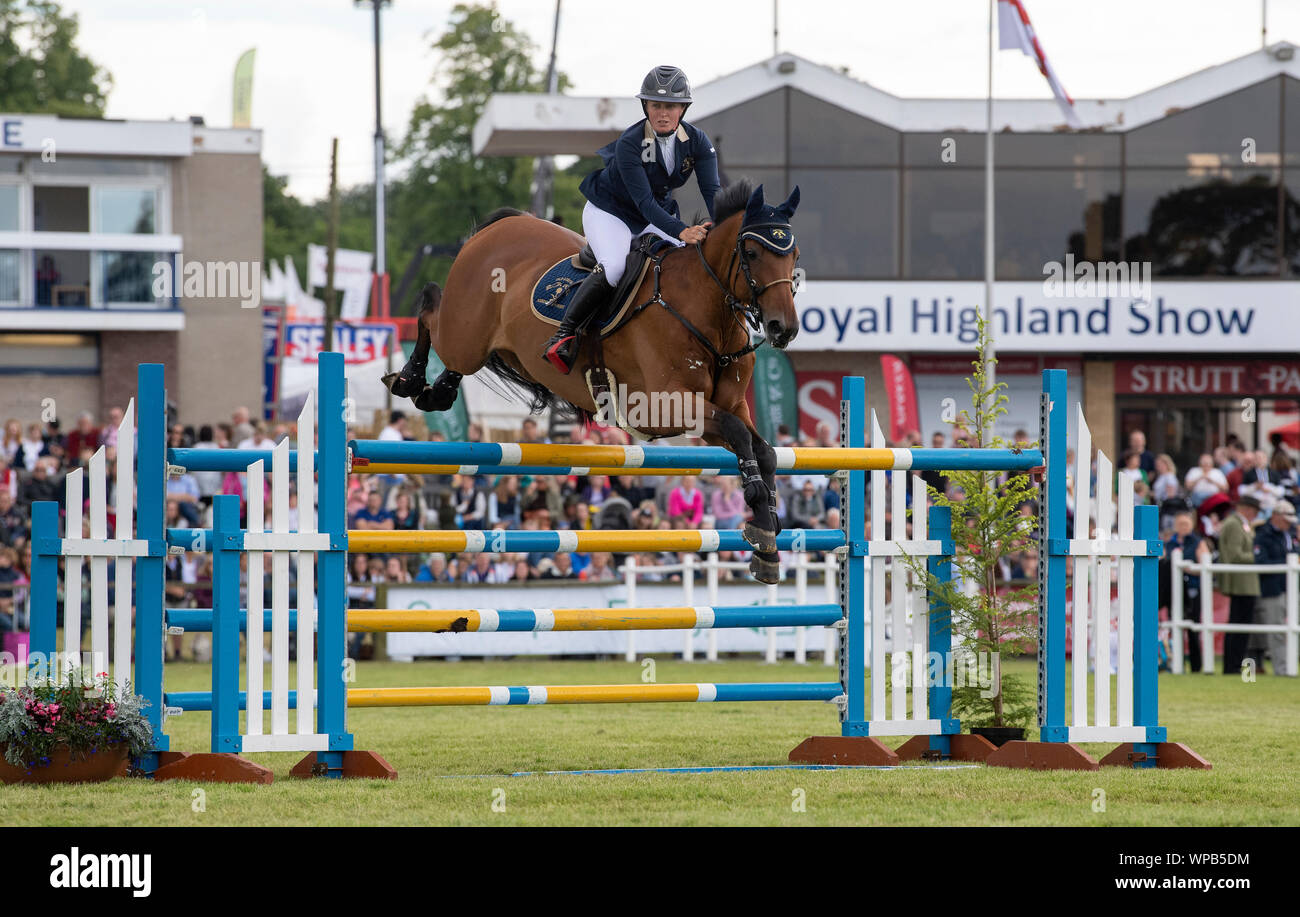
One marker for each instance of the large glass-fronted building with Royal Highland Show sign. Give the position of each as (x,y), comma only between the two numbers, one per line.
(1189,181)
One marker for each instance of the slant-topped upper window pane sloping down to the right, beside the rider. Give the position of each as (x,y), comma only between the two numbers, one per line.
(825,135)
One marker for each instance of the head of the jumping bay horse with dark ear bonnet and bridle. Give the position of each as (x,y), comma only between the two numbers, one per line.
(768,256)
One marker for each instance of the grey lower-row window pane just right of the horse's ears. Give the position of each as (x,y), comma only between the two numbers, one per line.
(847,223)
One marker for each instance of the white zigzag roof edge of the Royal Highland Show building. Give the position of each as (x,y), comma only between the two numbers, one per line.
(531,124)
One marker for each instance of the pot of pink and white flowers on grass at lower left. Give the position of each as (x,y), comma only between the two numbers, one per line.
(79,730)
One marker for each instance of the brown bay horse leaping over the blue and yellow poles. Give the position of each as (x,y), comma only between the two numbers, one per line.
(690,336)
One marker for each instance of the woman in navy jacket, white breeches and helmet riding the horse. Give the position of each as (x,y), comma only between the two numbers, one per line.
(632,194)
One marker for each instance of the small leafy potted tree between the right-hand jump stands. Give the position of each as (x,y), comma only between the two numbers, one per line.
(989,524)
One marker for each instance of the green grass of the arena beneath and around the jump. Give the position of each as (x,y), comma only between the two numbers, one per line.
(1251,733)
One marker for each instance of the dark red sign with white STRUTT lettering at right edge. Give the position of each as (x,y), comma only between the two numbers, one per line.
(1208,378)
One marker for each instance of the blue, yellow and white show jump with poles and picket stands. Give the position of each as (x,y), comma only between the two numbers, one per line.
(319,546)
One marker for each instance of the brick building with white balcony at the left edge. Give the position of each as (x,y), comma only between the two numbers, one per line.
(125,243)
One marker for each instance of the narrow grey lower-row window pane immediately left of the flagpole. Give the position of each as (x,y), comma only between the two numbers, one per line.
(943,224)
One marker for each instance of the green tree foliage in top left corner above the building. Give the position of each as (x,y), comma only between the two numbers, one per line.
(41,68)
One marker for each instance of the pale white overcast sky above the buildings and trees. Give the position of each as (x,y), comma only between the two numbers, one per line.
(315,67)
